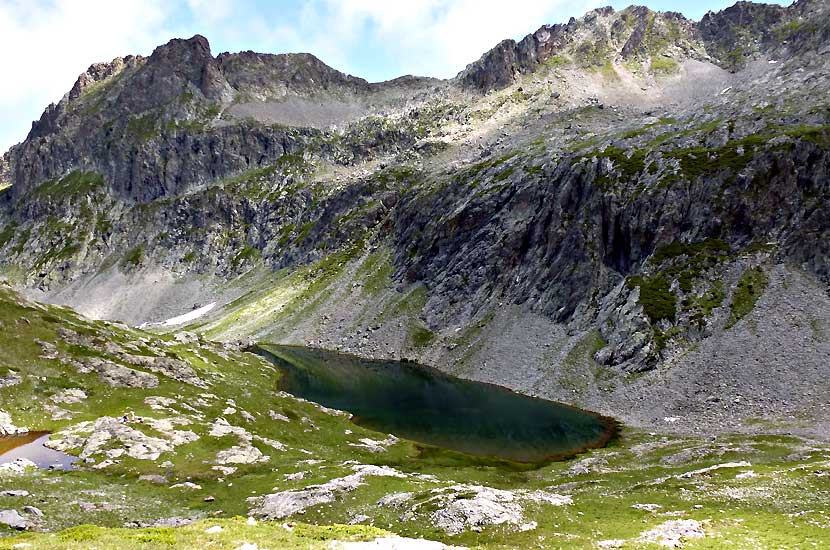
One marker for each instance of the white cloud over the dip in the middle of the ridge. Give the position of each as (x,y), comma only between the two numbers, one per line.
(425,37)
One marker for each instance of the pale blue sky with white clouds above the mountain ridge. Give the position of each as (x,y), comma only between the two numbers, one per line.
(46,44)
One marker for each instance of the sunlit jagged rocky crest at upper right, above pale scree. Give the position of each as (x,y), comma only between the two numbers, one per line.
(656,40)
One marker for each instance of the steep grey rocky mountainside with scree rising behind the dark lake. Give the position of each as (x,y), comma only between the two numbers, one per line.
(623,212)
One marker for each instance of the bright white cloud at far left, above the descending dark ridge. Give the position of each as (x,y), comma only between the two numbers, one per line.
(47,44)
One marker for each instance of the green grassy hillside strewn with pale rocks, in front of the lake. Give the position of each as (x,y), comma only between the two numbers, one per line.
(732,491)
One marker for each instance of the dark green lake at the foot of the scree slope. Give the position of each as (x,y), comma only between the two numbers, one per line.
(425,405)
